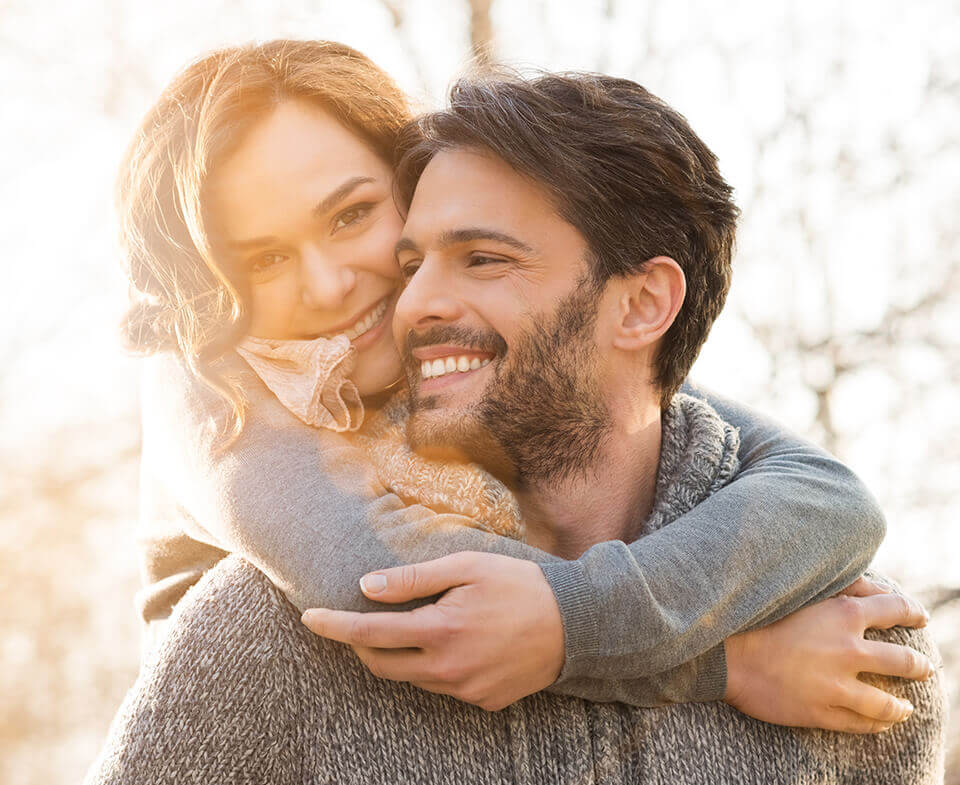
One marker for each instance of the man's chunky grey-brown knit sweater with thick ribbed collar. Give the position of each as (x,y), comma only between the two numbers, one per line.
(240,692)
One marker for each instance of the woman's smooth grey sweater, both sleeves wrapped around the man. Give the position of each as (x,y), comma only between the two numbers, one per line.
(643,624)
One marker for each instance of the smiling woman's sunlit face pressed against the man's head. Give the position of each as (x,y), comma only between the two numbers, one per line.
(305,210)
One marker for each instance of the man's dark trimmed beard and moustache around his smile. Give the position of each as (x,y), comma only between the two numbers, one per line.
(542,418)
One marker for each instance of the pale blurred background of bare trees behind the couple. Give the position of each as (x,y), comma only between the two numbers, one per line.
(838,124)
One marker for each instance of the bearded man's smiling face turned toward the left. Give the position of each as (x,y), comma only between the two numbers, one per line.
(496,324)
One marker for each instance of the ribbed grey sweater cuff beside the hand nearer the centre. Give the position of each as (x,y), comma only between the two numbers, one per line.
(580,613)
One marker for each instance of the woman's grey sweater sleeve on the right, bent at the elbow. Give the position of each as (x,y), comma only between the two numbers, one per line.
(793,527)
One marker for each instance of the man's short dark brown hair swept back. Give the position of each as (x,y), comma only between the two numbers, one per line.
(619,164)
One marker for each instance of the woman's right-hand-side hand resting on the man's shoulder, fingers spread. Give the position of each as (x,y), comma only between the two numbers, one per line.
(802,670)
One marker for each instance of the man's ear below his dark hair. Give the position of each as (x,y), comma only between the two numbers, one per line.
(648,303)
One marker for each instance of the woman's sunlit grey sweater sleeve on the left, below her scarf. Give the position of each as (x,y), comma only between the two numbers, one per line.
(303,505)
